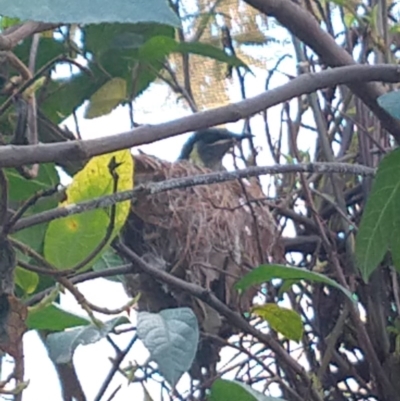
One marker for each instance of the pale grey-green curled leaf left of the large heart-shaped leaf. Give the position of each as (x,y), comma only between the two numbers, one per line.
(62,345)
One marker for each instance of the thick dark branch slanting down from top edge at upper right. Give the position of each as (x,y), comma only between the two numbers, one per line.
(305,27)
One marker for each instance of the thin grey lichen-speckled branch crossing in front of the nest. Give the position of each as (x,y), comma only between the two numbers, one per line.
(176,183)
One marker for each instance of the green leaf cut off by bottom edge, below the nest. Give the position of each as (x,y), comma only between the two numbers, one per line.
(224,390)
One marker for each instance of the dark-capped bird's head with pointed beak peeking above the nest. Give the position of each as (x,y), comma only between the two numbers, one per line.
(207,147)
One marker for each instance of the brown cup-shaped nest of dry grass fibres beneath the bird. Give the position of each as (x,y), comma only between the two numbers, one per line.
(209,235)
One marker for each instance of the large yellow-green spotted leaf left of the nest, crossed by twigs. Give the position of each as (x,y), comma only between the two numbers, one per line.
(72,239)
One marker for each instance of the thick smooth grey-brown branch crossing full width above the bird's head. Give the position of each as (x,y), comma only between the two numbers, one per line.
(14,156)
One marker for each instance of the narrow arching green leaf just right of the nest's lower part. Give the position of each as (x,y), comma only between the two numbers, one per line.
(266,273)
